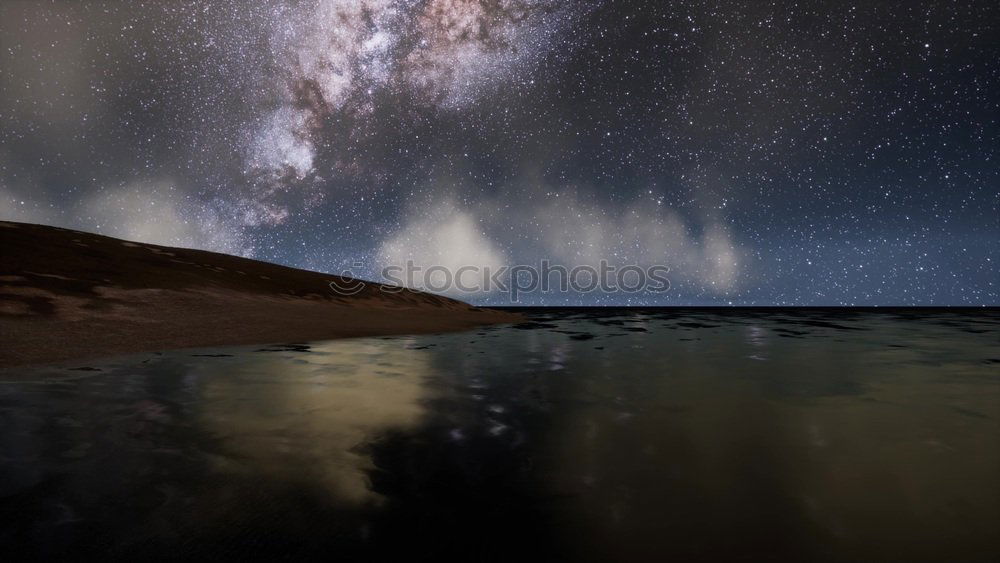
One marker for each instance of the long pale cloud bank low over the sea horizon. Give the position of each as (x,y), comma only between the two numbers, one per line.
(570,230)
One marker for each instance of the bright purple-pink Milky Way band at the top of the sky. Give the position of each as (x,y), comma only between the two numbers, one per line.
(334,57)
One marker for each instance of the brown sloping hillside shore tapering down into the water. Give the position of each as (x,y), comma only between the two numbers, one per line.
(70,295)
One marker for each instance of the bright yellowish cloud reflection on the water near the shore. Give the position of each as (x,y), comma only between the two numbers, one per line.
(310,429)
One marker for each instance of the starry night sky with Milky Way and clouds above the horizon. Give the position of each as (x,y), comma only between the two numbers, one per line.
(769,153)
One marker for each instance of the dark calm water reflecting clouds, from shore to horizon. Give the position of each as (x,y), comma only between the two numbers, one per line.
(629,435)
